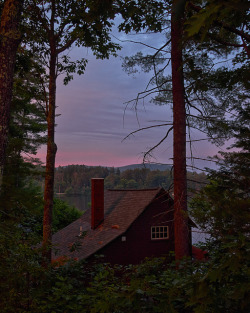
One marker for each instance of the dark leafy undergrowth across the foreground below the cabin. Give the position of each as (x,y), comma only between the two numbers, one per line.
(156,285)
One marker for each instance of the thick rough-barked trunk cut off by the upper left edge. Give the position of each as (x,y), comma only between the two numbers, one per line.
(10,39)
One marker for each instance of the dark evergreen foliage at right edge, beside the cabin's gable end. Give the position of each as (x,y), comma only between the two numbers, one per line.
(222,207)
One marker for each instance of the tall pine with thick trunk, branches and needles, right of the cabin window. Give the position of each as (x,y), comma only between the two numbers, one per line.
(202,90)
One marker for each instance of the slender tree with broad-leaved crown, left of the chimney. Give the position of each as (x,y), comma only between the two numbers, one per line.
(59,25)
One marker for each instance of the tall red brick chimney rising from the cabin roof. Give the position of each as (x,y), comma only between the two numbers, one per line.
(97,202)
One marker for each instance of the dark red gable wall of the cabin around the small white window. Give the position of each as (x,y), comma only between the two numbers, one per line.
(138,244)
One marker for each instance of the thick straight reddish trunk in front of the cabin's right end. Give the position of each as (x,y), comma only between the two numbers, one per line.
(182,240)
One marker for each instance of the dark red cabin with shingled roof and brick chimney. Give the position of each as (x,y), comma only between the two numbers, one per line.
(124,226)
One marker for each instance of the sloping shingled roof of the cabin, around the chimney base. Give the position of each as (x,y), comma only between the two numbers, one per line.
(121,209)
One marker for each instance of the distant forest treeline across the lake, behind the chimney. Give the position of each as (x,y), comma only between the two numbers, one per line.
(76,179)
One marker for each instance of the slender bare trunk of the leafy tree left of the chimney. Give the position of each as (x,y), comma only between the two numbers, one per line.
(50,164)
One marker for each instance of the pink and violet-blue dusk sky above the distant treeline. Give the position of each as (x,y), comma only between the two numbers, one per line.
(94,117)
